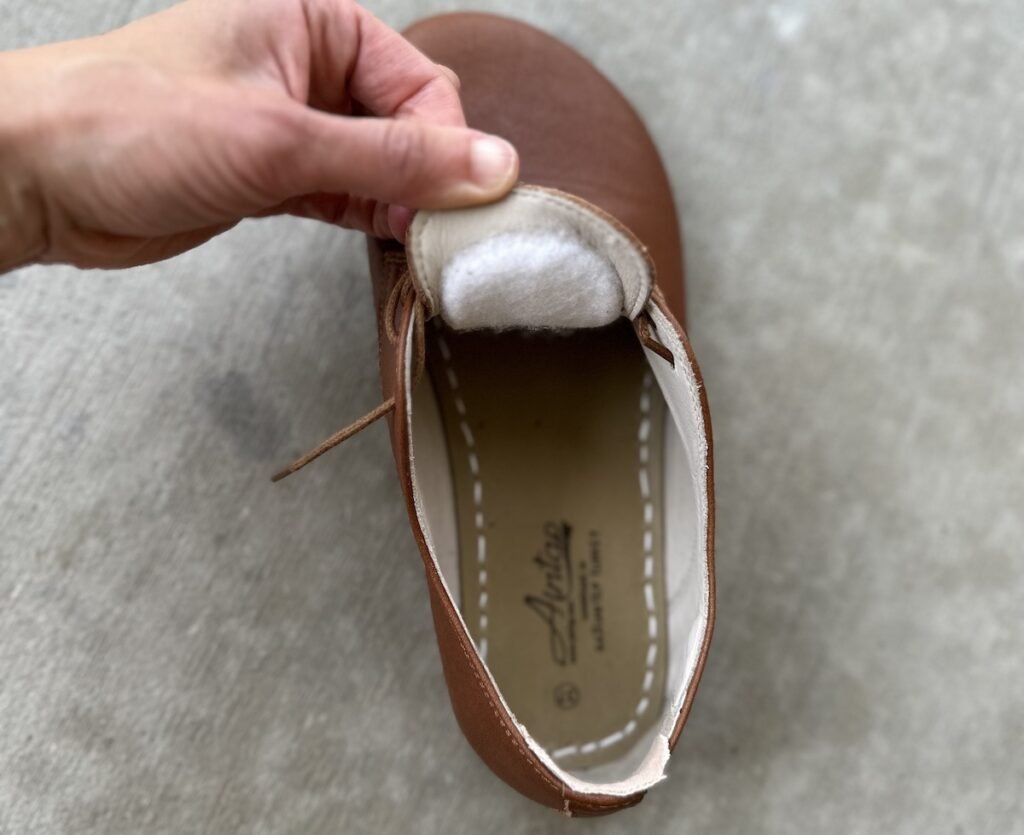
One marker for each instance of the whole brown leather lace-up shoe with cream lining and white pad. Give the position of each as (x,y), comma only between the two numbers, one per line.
(551,432)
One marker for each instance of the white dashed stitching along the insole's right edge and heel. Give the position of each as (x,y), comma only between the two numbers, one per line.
(644,437)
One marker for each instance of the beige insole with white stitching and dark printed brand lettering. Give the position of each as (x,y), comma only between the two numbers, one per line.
(556,448)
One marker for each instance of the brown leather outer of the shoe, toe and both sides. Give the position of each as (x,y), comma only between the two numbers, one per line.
(581,137)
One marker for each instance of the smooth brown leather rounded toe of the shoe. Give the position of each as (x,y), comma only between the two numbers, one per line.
(574,131)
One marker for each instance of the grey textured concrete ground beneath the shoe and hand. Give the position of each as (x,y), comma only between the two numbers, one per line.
(185,648)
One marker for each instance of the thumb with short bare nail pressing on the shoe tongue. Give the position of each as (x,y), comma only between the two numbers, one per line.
(407,162)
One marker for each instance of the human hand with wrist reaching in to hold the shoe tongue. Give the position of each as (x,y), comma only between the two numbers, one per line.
(136,146)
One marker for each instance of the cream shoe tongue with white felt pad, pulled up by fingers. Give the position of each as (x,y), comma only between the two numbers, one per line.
(537,259)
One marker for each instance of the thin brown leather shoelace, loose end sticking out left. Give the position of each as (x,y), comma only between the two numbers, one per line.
(403,290)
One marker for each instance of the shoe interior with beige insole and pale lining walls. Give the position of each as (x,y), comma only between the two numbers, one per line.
(569,524)
